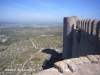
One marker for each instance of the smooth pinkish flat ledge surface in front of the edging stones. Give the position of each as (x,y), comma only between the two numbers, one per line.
(85,69)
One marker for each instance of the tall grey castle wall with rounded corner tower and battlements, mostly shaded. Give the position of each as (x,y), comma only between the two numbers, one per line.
(80,37)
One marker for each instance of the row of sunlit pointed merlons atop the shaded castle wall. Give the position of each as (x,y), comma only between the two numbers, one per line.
(90,26)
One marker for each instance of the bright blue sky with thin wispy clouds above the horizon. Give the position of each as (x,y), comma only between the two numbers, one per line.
(47,10)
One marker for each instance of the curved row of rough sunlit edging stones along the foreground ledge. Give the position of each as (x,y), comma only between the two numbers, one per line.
(71,65)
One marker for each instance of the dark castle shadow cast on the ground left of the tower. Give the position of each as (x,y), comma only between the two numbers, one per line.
(55,56)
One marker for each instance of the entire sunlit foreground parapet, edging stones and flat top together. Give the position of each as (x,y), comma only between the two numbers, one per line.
(84,65)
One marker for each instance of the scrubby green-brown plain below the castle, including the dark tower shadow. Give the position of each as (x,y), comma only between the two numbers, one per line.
(30,49)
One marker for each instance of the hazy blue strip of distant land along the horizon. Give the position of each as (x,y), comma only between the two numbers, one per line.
(29,24)
